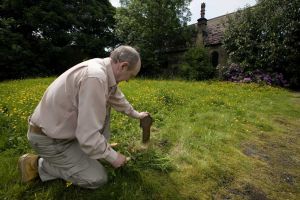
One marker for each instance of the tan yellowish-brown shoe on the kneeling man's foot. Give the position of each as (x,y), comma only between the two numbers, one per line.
(28,166)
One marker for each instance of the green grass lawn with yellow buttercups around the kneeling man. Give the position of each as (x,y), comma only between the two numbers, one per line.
(210,140)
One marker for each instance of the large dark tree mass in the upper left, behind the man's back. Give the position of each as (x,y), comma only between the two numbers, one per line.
(46,37)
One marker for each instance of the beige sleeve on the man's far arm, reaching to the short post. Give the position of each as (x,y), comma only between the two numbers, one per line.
(118,101)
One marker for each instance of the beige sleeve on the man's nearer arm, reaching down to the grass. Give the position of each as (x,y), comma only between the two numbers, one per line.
(91,117)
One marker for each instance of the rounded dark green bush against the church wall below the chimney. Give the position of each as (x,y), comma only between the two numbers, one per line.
(197,65)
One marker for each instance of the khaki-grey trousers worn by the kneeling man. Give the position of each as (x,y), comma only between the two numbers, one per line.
(61,158)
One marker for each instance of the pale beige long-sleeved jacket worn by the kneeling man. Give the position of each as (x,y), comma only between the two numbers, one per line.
(74,106)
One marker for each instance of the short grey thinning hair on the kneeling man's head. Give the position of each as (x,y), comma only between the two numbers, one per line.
(125,54)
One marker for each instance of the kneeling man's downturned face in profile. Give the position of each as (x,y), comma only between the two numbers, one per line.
(123,74)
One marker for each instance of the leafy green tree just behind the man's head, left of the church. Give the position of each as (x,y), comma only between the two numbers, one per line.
(152,26)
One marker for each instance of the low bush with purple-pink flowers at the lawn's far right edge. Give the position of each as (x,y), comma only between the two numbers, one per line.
(236,73)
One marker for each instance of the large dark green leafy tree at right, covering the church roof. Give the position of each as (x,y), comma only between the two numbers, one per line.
(266,37)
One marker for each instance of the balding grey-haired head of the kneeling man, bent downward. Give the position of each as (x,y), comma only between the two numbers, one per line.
(126,63)
